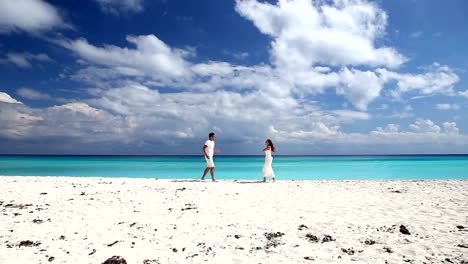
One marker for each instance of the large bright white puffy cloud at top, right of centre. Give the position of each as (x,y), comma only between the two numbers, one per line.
(340,33)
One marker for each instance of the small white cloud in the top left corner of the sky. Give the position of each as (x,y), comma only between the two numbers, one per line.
(33,16)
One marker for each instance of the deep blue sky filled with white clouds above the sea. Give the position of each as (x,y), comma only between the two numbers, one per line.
(155,77)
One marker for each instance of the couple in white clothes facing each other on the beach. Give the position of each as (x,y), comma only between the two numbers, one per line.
(209,150)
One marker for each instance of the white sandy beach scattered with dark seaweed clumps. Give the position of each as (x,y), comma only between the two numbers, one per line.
(226,222)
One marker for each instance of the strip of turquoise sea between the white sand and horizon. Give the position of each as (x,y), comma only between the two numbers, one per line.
(242,167)
